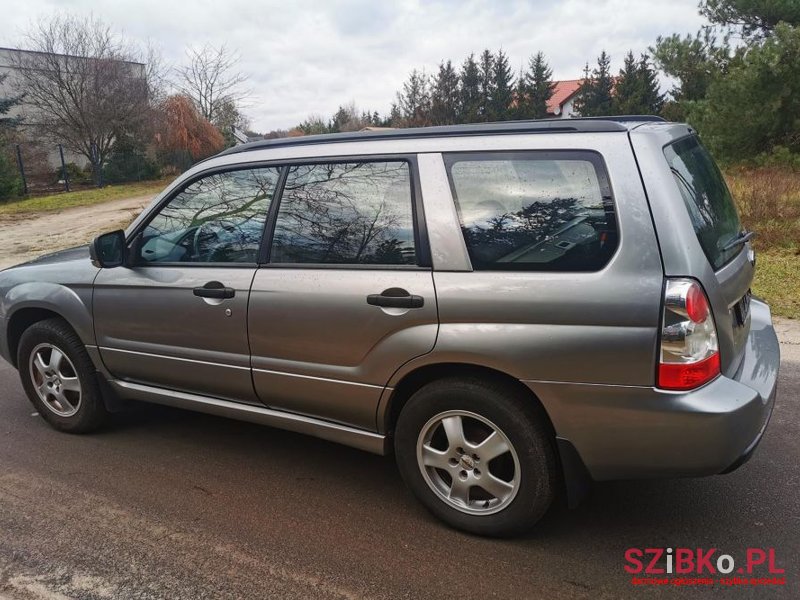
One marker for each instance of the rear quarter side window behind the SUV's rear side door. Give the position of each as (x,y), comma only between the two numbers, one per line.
(534,211)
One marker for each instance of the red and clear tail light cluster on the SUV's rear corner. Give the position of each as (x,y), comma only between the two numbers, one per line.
(689,349)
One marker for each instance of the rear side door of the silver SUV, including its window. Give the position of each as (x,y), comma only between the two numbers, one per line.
(346,294)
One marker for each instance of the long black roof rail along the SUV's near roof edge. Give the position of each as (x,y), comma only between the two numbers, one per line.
(577,125)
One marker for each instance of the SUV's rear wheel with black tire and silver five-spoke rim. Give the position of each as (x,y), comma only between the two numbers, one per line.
(423,435)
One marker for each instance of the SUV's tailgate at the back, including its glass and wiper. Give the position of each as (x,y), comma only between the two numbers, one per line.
(699,230)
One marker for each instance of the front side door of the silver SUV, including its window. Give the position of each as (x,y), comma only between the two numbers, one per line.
(177,318)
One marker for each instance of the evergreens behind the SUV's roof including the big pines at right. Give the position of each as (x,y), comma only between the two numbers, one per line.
(737,83)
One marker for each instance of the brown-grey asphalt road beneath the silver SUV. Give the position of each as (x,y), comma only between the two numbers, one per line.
(171,504)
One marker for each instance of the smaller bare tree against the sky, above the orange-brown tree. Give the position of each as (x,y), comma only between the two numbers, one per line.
(211,80)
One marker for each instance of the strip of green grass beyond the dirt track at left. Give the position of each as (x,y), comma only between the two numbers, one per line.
(82,197)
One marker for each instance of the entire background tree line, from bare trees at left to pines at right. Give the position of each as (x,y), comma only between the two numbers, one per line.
(737,83)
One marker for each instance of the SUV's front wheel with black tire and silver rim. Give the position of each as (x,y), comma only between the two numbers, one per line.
(63,390)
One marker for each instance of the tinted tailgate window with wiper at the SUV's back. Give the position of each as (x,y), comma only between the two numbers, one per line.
(707,198)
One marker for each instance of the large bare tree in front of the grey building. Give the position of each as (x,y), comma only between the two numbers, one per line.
(84,85)
